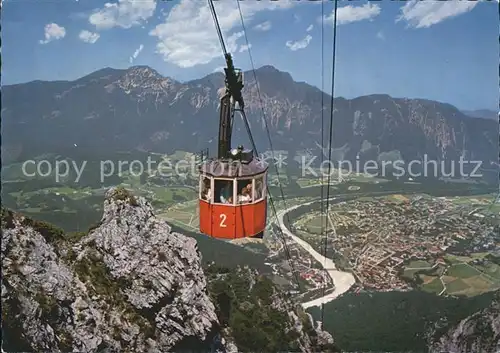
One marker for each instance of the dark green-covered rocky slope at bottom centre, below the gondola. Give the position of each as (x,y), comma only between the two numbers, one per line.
(259,317)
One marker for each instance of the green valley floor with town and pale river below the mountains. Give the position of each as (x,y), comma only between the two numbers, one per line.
(374,234)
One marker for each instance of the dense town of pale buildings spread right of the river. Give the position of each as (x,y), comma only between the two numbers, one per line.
(378,237)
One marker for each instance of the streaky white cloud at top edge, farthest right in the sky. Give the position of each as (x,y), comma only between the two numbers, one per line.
(427,13)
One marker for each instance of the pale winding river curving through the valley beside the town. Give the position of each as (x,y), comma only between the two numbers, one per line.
(343,281)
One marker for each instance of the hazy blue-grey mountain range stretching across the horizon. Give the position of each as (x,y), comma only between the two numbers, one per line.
(139,109)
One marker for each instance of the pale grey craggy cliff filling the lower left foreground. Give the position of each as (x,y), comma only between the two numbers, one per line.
(128,285)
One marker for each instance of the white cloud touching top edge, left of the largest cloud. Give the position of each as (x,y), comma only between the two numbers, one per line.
(124,13)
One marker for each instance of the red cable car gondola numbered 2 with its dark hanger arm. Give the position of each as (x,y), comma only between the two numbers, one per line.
(232,197)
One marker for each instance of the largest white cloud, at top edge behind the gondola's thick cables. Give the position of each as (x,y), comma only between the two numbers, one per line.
(188,37)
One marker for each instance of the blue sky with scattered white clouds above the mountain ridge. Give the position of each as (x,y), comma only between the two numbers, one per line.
(446,51)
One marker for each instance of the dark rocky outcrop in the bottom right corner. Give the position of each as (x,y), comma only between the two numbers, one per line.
(478,333)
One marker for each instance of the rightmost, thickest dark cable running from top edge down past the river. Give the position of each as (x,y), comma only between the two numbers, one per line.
(330,137)
